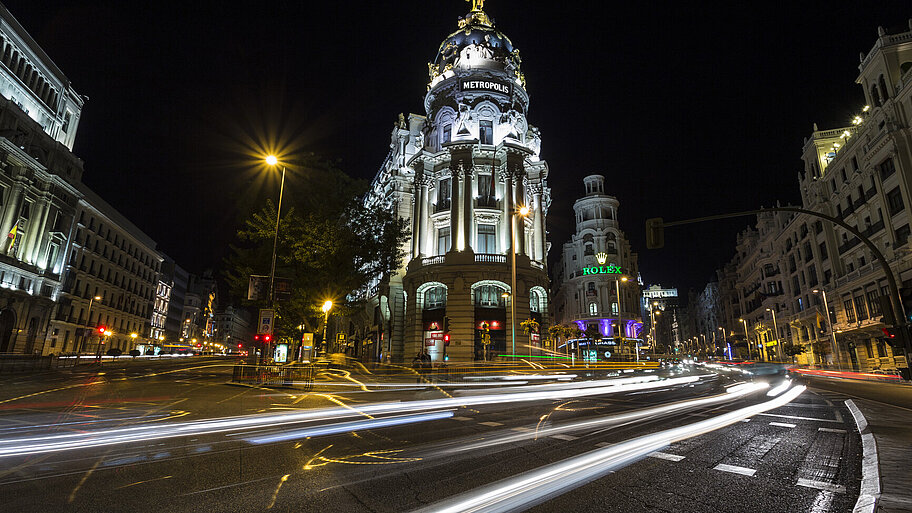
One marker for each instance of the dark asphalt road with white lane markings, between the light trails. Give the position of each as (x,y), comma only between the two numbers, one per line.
(803,456)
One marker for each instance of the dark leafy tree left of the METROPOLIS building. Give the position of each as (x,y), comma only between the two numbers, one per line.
(330,246)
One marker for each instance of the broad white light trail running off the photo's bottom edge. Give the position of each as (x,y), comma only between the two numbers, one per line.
(536,486)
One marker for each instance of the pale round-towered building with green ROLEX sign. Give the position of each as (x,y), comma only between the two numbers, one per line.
(592,270)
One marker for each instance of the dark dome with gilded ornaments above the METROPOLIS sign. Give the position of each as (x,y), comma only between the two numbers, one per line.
(476,45)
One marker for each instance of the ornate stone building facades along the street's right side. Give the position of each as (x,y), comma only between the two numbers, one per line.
(862,174)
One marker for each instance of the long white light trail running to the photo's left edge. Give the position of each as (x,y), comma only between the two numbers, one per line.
(114,436)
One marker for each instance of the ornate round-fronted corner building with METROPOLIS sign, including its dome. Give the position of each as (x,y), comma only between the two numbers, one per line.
(459,174)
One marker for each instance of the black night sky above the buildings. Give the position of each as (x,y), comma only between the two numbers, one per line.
(687,111)
